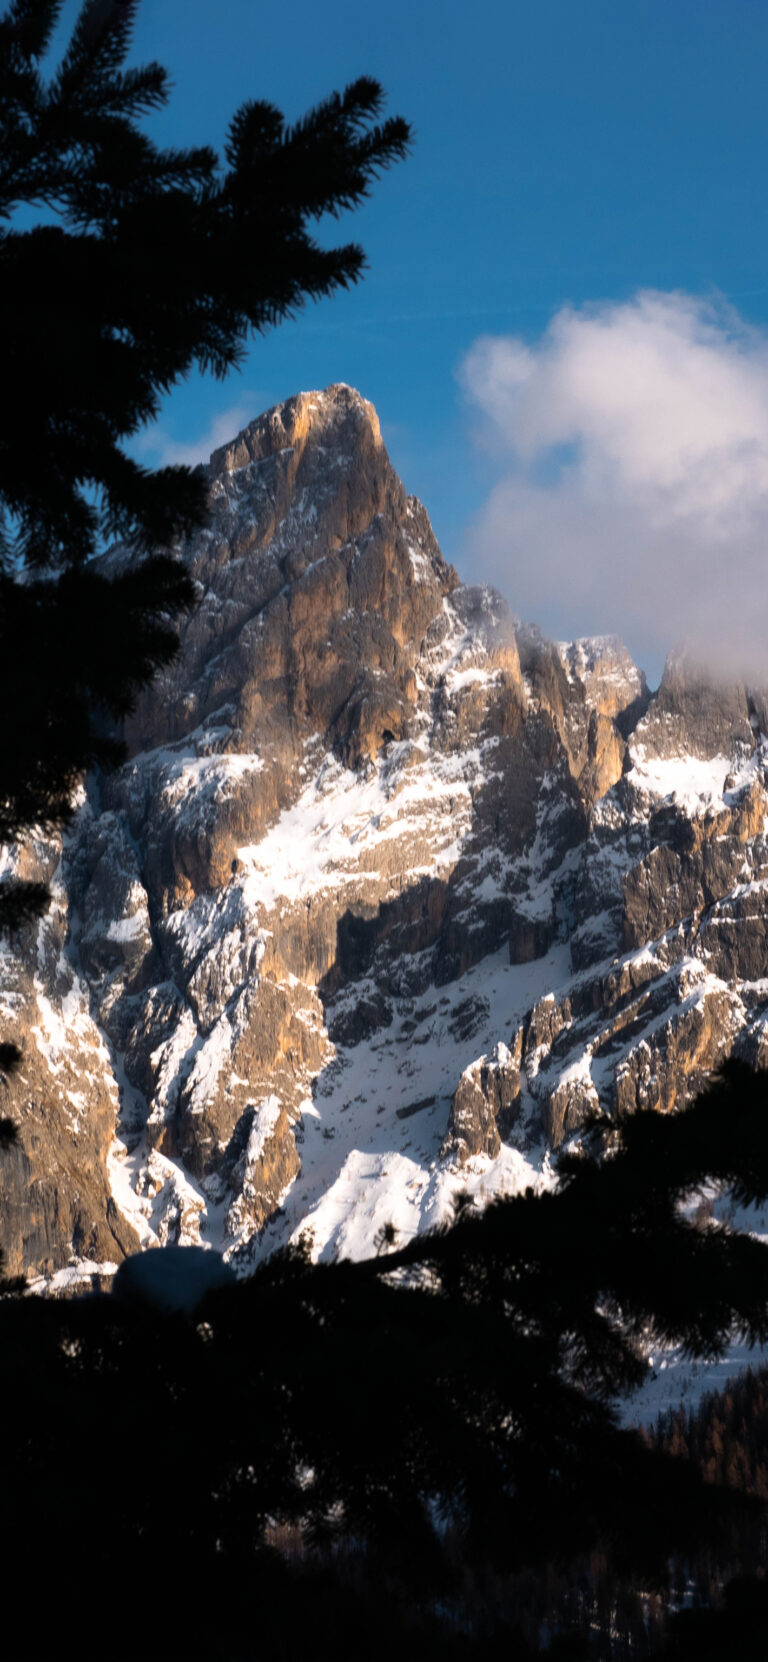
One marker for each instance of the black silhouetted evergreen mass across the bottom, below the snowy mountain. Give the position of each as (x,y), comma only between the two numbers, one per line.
(436,1410)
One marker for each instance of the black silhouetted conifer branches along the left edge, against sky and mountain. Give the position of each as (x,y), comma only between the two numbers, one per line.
(144,263)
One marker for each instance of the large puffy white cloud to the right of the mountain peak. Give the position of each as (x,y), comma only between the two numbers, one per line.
(634,491)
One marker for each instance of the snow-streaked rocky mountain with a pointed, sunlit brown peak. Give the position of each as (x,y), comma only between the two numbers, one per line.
(388,898)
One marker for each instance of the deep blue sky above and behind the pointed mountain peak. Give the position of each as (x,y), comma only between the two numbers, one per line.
(569,154)
